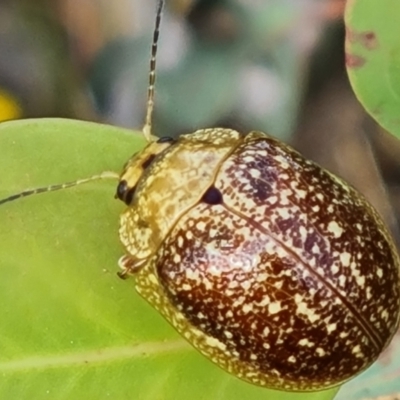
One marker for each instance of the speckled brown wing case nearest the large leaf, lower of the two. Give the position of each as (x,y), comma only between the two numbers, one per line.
(264,288)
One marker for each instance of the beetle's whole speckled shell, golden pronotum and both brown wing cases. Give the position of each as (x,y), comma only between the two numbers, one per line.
(291,282)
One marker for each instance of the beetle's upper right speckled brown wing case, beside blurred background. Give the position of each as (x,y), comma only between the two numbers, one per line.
(357,263)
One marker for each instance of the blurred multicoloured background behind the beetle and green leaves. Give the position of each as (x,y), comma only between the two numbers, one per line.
(271,65)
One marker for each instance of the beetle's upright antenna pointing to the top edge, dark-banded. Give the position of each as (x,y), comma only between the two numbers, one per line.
(152,74)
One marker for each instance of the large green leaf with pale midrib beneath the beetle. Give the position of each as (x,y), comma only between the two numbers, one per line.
(70,329)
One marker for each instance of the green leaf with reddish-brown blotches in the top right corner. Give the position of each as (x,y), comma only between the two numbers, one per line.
(373,58)
